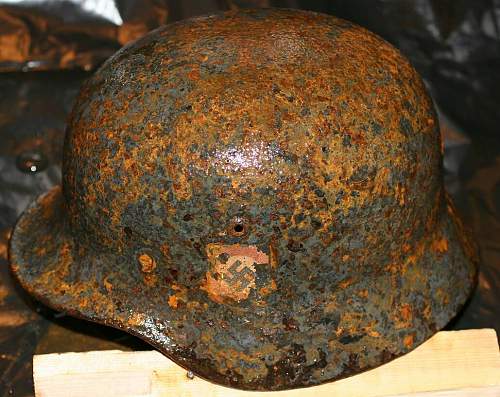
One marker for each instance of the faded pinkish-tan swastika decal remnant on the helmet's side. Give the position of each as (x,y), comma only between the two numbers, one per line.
(232,271)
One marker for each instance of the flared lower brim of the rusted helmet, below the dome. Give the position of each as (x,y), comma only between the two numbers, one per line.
(356,330)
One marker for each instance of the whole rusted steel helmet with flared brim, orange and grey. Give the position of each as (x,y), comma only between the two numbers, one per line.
(257,194)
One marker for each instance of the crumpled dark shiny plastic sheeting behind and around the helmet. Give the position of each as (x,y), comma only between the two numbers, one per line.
(47,50)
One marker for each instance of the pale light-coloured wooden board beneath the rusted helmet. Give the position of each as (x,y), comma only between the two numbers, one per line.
(450,364)
